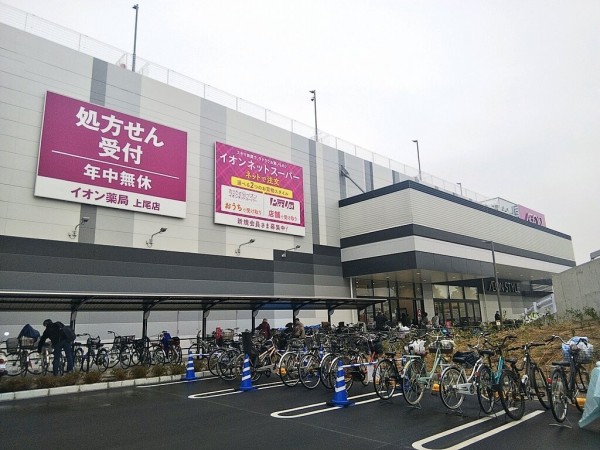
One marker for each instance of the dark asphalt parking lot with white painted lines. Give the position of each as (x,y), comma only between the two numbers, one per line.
(213,414)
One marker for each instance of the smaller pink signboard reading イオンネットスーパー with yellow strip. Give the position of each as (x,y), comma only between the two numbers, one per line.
(257,191)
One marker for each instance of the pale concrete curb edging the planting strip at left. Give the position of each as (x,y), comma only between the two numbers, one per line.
(104,385)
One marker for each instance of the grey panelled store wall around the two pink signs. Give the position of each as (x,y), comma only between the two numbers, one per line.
(195,255)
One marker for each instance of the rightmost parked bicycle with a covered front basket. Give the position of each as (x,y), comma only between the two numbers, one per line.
(569,380)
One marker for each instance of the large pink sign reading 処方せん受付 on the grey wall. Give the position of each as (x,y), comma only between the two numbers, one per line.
(94,155)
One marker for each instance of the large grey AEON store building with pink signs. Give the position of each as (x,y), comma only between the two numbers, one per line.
(126,194)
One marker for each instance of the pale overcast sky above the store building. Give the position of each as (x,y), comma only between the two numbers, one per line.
(503,96)
